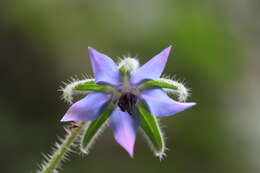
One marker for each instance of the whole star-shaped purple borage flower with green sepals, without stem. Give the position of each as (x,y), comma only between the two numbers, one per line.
(129,97)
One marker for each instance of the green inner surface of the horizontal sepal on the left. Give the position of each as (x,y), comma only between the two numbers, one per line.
(91,86)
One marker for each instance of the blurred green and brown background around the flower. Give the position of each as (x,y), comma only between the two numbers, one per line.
(216,52)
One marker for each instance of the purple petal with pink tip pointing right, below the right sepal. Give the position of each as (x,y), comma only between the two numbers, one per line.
(161,105)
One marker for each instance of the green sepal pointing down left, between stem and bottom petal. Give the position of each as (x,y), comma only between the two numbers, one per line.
(95,127)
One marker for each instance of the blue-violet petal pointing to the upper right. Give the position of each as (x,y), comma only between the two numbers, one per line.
(152,69)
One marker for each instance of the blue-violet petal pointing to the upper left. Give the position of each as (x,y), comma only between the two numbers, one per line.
(104,68)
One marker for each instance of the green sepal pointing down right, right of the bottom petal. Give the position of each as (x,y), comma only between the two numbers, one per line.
(151,130)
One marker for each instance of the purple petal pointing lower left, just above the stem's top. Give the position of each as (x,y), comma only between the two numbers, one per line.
(88,108)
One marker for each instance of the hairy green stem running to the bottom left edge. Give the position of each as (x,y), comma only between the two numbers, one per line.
(59,155)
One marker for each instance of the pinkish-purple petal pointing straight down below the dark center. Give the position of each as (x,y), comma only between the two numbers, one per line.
(124,127)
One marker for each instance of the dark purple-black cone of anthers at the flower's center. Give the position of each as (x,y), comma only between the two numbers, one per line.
(127,102)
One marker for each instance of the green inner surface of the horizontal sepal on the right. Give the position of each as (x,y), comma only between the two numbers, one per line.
(149,84)
